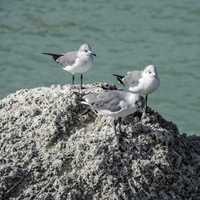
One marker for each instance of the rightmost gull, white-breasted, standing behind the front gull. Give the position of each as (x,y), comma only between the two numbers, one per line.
(143,82)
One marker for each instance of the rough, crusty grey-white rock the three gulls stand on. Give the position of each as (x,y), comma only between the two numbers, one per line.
(51,148)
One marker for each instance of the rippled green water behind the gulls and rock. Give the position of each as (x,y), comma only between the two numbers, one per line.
(127,35)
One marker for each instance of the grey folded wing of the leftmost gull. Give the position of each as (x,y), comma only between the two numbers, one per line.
(68,58)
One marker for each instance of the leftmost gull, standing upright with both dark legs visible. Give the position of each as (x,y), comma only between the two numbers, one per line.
(76,61)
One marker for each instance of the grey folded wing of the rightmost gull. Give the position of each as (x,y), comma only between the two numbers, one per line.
(132,78)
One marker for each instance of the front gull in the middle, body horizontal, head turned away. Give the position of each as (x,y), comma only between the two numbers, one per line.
(116,104)
